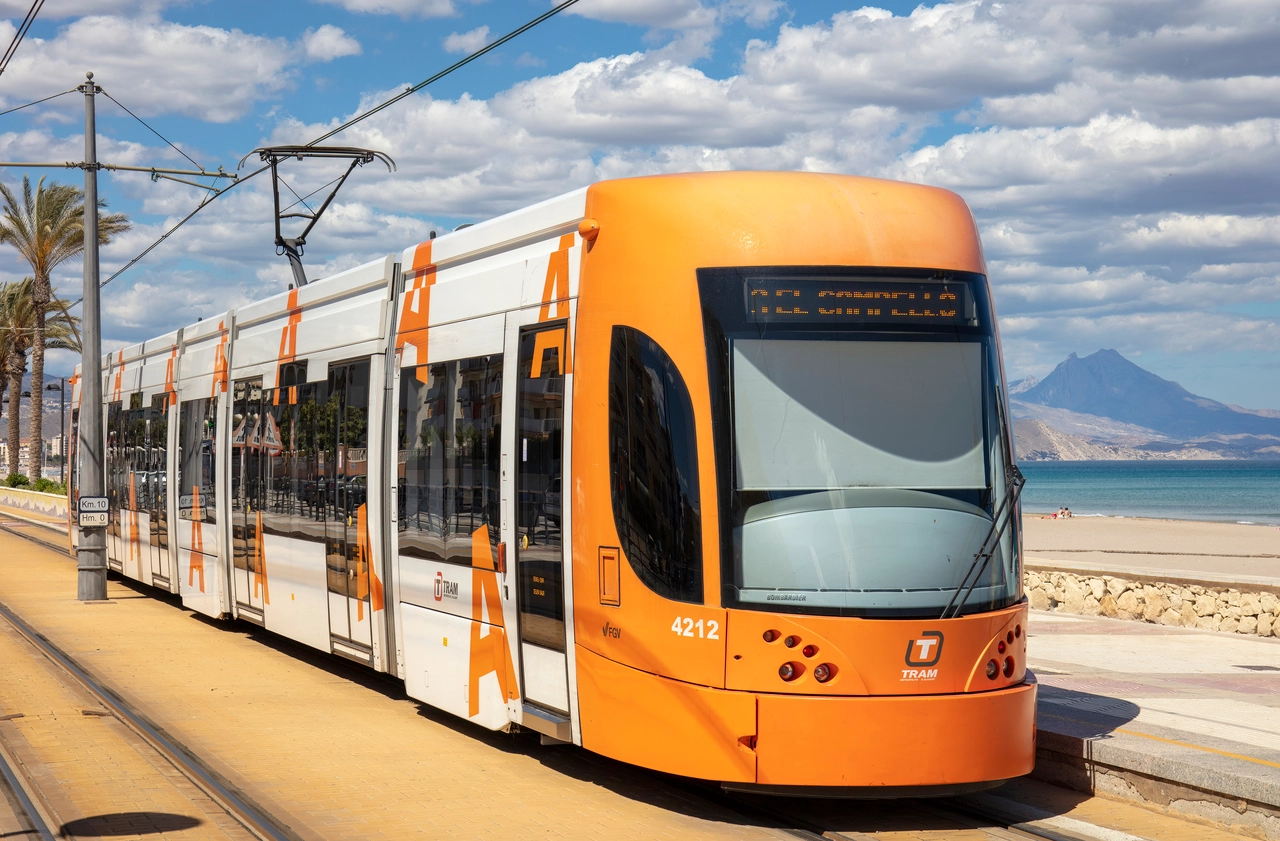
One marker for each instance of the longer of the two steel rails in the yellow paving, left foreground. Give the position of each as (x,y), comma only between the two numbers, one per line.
(231,801)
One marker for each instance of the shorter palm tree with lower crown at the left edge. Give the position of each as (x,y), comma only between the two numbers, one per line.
(17,339)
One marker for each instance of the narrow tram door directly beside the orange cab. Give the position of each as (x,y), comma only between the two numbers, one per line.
(540,493)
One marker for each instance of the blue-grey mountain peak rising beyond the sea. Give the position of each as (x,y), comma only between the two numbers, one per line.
(1108,385)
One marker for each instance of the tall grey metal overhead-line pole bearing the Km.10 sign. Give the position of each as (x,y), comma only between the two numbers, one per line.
(93,542)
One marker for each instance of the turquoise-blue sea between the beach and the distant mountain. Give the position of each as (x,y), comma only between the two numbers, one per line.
(1218,491)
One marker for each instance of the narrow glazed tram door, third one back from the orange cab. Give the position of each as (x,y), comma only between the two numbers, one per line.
(248,500)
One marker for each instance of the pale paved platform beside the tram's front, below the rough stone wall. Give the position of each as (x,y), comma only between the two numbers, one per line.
(1177,719)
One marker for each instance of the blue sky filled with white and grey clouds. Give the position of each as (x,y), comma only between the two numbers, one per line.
(1121,157)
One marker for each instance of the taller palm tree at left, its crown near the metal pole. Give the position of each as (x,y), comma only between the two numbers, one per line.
(48,228)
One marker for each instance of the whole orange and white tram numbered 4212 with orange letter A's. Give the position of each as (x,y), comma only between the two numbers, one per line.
(685,470)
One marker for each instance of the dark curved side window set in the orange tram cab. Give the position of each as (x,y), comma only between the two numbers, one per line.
(653,461)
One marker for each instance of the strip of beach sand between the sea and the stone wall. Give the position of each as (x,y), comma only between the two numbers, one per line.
(1140,545)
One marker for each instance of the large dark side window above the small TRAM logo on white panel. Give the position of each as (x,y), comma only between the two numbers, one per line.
(449,463)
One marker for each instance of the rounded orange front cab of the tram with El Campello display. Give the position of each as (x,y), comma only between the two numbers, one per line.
(797,551)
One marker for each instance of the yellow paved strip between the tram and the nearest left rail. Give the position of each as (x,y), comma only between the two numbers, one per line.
(330,749)
